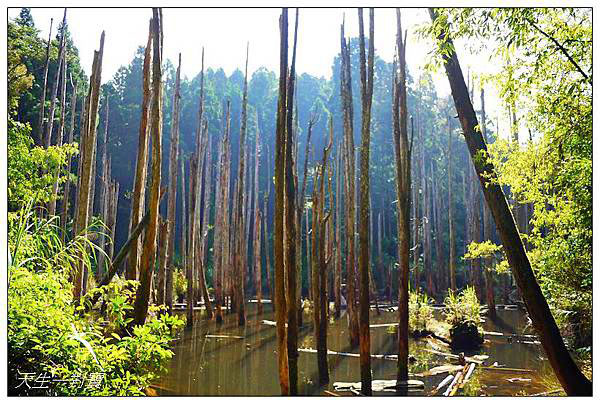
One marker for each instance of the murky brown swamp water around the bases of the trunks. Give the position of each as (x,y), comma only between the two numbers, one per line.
(206,365)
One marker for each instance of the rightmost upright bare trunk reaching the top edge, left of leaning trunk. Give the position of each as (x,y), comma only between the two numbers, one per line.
(403,158)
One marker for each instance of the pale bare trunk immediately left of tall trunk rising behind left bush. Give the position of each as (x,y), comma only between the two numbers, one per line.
(139,188)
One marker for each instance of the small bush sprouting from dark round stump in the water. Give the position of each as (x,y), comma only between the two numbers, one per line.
(462,312)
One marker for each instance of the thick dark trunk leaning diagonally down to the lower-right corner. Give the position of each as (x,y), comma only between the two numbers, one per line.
(567,372)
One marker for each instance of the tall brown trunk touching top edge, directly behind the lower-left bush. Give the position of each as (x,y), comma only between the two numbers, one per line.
(143,292)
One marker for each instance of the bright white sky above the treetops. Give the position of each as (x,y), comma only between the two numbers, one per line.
(224,32)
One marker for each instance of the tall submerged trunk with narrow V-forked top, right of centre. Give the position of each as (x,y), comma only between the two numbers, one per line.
(366,80)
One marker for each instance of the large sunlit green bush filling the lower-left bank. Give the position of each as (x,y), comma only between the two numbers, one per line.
(55,350)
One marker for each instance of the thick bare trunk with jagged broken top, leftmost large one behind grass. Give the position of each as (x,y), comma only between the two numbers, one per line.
(87,160)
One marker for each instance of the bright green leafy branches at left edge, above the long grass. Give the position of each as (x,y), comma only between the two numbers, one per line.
(32,170)
